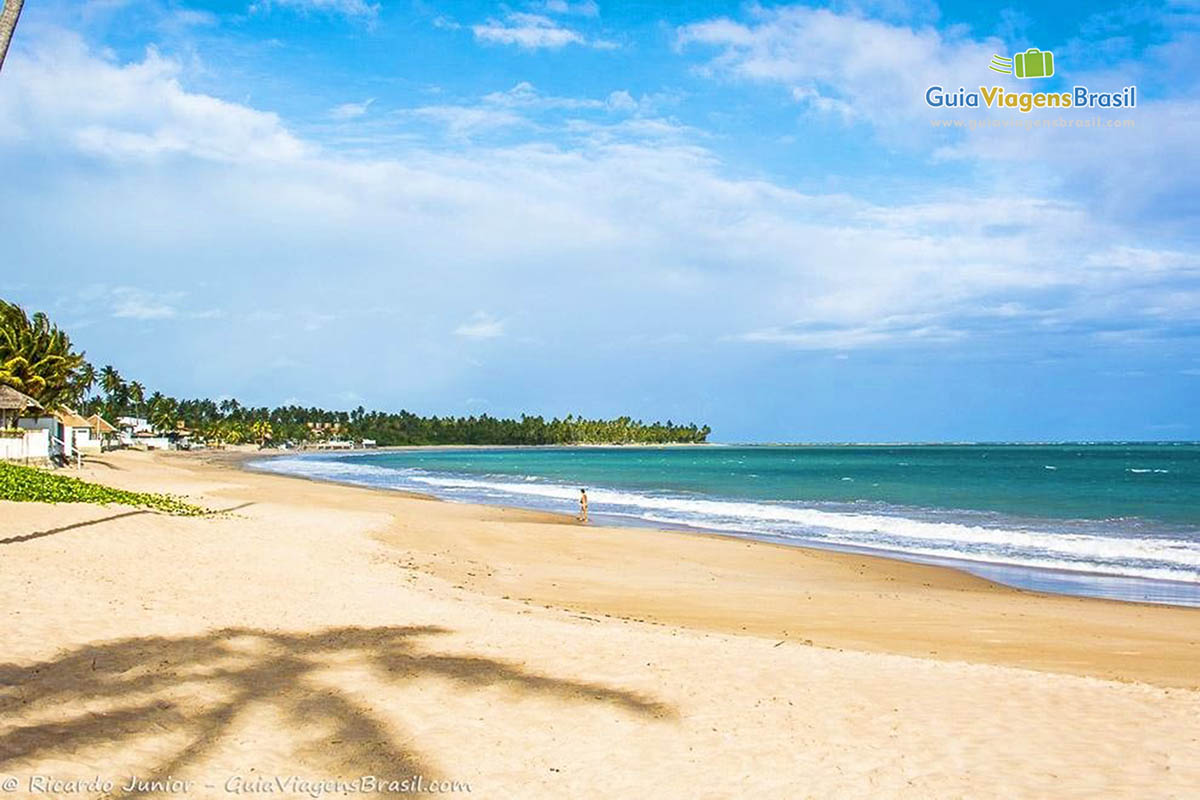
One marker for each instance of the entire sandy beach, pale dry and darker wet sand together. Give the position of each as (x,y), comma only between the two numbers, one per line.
(315,633)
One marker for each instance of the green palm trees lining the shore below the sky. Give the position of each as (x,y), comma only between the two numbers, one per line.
(38,359)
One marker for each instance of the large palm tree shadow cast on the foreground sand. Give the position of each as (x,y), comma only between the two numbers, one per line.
(195,691)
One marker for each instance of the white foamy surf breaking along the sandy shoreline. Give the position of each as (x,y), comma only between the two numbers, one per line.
(1156,558)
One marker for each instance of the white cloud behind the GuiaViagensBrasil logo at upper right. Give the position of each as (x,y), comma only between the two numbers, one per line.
(860,70)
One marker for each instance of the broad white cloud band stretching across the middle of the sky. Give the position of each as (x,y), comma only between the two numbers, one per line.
(634,219)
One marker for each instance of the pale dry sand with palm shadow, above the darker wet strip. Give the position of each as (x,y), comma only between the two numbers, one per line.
(289,639)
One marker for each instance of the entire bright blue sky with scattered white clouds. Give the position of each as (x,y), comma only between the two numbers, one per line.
(727,213)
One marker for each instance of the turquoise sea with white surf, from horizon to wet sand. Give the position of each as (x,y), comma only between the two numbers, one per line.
(1107,520)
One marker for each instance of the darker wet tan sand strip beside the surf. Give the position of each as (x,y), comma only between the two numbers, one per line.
(921,591)
